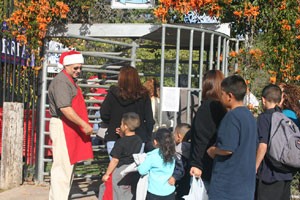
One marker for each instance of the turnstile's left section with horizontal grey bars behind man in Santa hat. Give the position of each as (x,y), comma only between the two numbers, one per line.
(107,62)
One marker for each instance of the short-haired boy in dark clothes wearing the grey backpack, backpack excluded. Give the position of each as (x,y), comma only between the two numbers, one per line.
(271,183)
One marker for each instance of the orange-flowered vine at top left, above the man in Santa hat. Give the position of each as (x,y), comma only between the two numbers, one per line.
(29,21)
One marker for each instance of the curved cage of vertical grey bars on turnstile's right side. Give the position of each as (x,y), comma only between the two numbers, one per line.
(205,49)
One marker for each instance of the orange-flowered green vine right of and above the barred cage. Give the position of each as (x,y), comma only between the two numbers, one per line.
(271,30)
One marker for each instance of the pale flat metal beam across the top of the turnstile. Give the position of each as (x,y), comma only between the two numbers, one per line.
(146,31)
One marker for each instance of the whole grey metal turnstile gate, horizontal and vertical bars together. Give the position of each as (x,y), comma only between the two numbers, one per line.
(204,48)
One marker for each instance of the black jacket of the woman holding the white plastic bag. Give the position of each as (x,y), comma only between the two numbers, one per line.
(204,134)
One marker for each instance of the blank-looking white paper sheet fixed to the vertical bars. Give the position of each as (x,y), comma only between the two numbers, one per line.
(170,99)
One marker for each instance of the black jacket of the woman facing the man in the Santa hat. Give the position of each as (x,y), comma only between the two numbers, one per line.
(113,107)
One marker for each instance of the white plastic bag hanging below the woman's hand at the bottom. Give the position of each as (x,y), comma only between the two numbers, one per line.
(197,190)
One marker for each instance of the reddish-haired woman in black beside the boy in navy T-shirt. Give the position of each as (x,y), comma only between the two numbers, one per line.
(205,125)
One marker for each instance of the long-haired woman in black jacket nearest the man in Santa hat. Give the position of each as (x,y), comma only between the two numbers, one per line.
(128,96)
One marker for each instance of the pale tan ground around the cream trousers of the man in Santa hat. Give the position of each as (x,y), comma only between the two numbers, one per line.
(80,190)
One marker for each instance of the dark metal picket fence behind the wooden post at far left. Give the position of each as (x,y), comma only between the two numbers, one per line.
(19,83)
